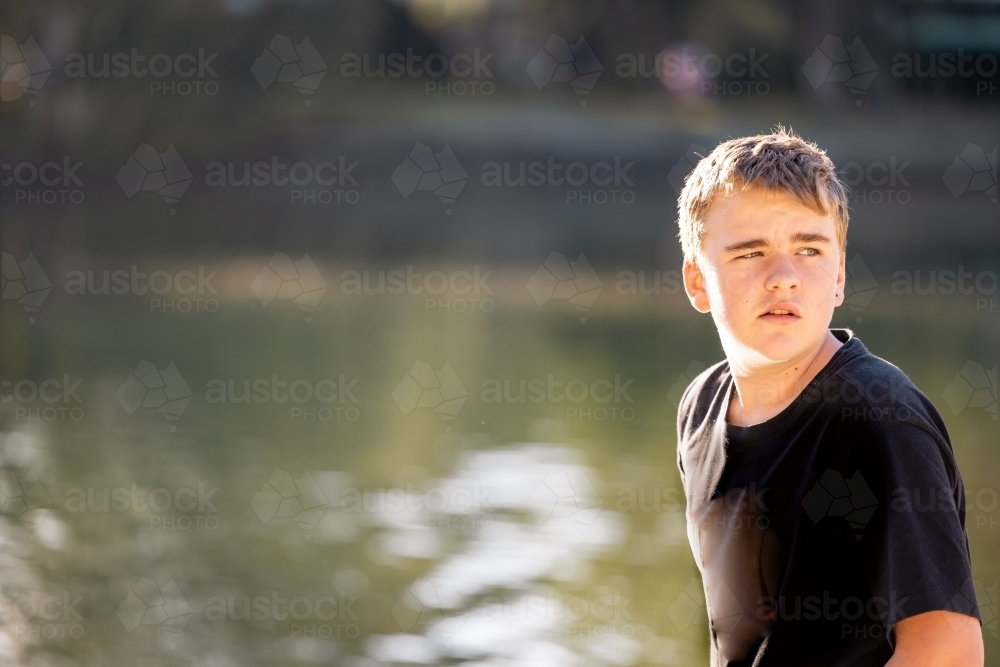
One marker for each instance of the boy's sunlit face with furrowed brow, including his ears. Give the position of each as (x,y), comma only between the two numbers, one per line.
(763,251)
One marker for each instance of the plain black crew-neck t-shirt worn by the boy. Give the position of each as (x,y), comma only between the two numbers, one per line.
(819,529)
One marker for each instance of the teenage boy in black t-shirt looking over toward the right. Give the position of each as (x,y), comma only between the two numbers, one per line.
(808,462)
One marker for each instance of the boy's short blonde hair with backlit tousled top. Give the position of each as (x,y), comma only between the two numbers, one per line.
(780,161)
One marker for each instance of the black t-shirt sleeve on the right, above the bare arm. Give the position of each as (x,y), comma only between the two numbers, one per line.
(914,550)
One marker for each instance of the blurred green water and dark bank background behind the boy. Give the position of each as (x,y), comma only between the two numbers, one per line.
(402,409)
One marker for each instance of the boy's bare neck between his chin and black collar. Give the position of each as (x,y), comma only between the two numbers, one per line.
(762,394)
